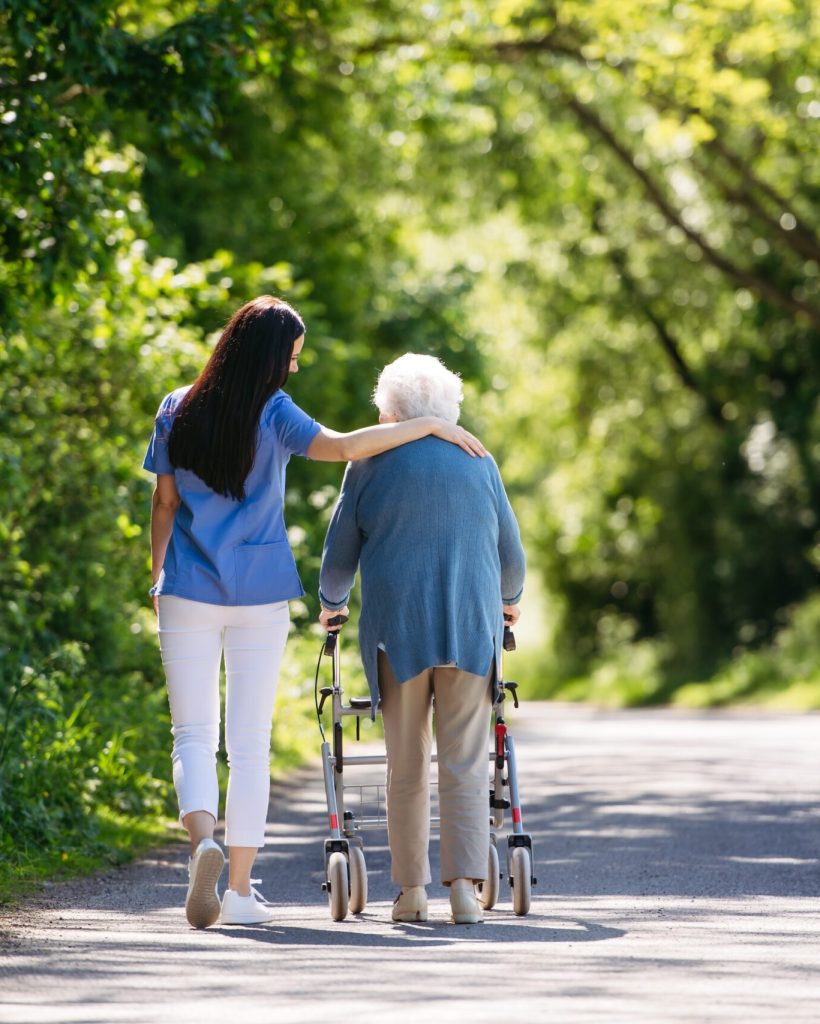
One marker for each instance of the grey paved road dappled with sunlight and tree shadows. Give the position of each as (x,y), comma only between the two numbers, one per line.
(679,878)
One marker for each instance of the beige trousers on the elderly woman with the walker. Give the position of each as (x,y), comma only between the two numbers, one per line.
(463,703)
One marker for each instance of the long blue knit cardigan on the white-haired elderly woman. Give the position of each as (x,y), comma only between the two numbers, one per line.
(440,551)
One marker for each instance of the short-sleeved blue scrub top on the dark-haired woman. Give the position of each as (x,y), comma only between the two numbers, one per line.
(224,551)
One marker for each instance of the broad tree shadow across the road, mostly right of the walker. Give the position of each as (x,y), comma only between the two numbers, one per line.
(702,833)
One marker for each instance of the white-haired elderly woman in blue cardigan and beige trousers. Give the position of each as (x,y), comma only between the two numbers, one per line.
(442,564)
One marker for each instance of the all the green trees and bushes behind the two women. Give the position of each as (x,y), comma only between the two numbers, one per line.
(603,215)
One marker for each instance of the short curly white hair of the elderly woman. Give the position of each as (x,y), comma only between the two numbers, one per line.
(418,386)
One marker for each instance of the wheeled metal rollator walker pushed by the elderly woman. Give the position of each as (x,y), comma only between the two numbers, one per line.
(347,872)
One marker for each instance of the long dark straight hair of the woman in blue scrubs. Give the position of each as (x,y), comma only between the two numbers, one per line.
(215,432)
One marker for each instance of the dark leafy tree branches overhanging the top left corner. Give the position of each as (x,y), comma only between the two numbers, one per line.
(73,72)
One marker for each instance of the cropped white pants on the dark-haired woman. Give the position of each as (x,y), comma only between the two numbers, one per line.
(193,637)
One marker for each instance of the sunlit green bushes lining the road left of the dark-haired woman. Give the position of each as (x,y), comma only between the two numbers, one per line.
(85,727)
